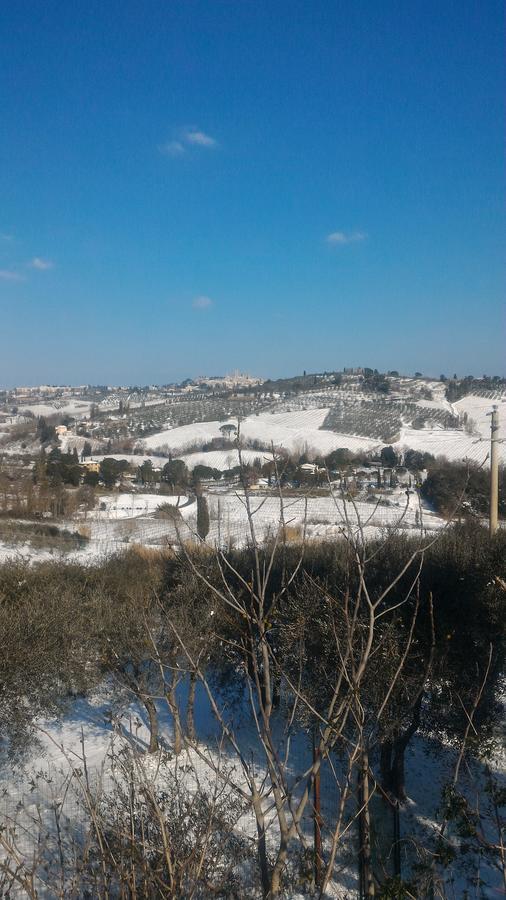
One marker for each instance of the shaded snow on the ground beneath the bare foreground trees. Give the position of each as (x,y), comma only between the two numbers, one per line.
(28,794)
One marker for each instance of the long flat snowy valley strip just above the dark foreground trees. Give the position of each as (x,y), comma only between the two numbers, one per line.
(131,518)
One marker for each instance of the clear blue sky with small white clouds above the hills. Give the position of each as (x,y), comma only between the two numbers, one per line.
(189,187)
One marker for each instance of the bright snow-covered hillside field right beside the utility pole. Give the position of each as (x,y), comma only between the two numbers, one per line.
(455,445)
